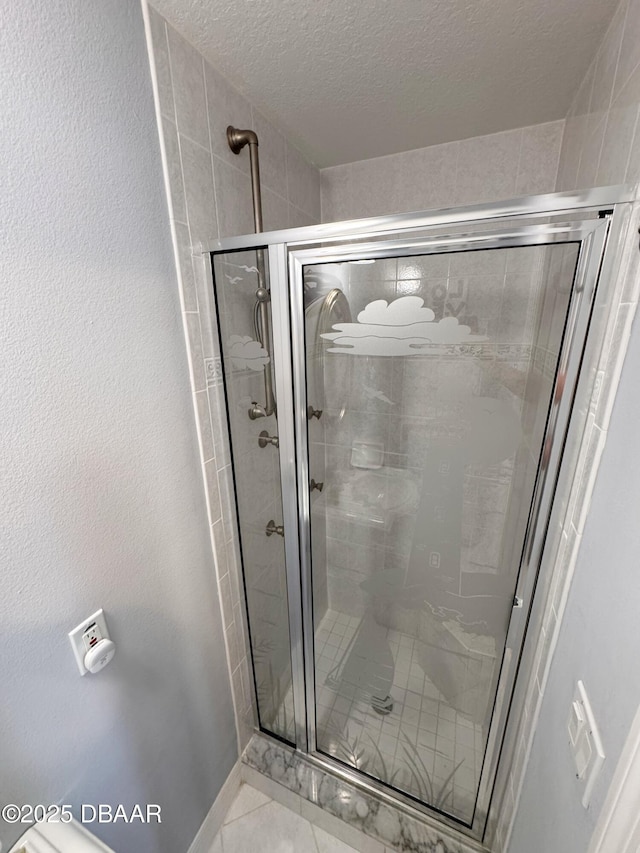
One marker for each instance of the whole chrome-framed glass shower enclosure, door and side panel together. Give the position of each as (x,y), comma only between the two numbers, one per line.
(393,501)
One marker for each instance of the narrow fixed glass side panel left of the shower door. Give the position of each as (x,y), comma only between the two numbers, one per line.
(258,493)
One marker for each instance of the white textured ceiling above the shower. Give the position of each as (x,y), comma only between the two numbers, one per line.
(352,79)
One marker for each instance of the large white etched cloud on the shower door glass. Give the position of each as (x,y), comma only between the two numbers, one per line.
(401,327)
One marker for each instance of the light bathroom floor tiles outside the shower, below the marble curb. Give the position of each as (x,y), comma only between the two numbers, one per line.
(256,822)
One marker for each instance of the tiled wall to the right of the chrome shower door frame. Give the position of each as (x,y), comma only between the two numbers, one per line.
(601,146)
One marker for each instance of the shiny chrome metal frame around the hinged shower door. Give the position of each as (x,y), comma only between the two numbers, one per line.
(288,252)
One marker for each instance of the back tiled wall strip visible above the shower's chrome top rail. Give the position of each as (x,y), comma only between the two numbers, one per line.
(483,168)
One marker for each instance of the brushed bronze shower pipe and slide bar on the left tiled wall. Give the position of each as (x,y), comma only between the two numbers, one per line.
(237,139)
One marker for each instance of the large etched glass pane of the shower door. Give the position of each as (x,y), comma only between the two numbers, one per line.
(433,375)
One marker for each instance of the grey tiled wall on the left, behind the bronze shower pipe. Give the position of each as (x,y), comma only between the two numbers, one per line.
(209,191)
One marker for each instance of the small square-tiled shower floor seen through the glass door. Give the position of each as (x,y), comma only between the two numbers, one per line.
(419,745)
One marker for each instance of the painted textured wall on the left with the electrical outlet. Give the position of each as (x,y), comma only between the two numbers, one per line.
(102,497)
